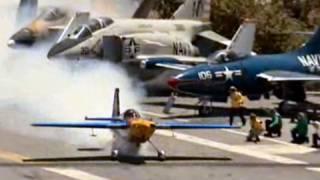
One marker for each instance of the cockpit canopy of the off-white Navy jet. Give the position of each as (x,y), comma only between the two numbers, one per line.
(92,26)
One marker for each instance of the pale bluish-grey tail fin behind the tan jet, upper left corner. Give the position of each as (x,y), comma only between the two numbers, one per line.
(27,10)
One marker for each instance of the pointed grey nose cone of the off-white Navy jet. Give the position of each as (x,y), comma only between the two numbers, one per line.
(62,46)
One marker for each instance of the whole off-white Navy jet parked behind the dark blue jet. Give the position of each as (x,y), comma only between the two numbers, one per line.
(125,39)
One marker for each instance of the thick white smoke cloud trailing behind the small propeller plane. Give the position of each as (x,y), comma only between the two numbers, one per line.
(56,90)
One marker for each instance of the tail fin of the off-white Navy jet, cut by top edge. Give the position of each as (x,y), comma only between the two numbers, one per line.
(194,9)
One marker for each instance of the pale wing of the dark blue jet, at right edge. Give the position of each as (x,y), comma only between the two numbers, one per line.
(282,76)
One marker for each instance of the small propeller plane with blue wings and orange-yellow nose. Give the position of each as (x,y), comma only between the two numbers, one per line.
(130,129)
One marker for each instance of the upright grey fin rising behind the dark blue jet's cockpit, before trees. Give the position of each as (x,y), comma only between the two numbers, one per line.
(243,40)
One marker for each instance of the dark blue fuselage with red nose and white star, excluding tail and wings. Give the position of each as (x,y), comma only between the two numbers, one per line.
(215,80)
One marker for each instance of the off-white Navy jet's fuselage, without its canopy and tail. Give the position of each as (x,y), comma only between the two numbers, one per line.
(165,35)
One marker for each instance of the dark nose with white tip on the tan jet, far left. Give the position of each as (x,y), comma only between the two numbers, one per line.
(23,37)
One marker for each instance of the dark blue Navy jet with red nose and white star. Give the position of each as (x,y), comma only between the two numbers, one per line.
(282,74)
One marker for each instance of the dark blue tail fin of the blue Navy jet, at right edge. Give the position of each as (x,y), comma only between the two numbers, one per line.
(313,45)
